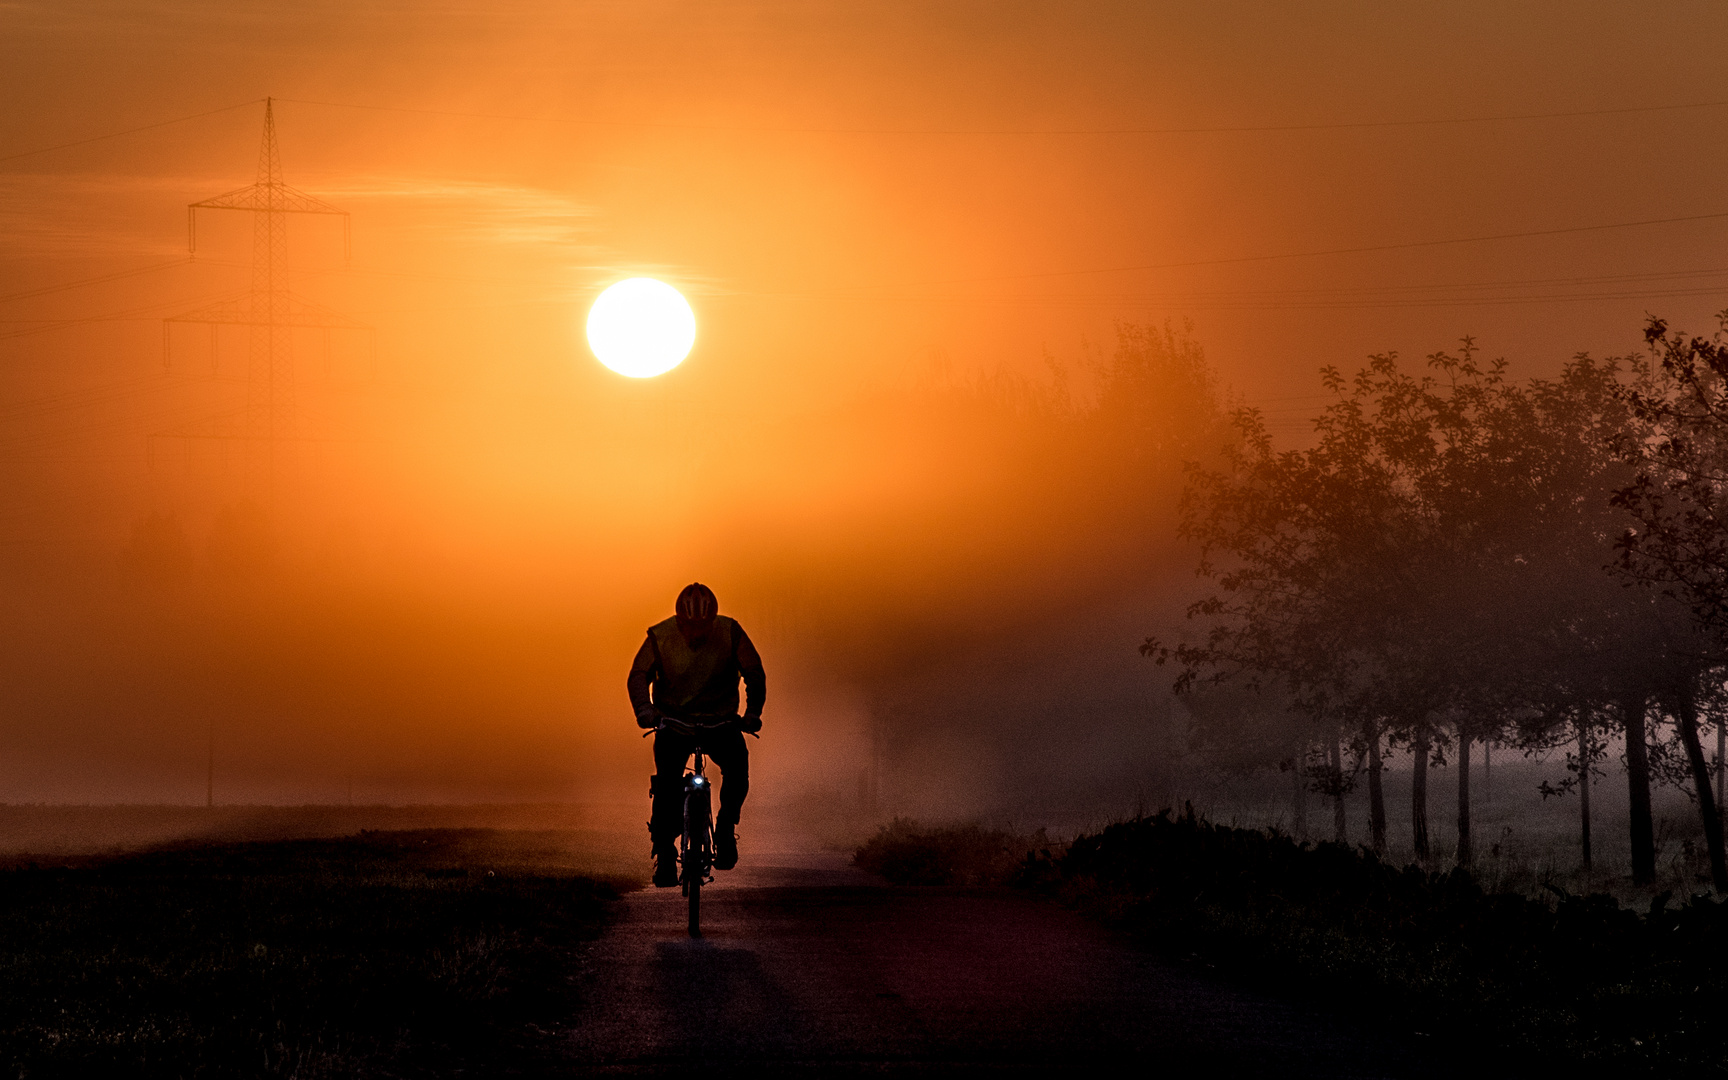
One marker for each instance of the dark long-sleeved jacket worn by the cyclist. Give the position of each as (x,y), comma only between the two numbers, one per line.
(682,680)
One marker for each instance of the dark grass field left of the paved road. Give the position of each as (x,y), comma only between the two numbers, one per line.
(388,955)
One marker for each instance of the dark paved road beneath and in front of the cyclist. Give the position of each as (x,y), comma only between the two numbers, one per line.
(813,969)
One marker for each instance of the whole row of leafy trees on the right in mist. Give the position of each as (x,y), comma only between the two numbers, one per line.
(1466,559)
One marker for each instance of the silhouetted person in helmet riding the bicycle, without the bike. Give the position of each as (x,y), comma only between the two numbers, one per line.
(689,670)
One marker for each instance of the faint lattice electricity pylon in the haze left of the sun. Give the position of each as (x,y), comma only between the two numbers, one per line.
(270,310)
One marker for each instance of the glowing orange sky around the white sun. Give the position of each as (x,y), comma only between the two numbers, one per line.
(856,198)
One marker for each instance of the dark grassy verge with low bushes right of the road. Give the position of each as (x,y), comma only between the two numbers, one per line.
(1575,986)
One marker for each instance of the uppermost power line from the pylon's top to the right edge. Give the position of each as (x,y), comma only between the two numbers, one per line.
(1034,132)
